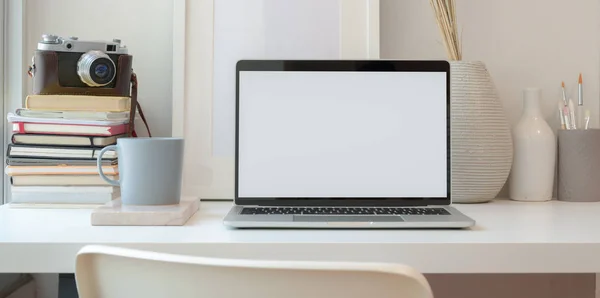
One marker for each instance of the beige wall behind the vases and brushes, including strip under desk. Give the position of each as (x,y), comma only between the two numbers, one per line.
(532,43)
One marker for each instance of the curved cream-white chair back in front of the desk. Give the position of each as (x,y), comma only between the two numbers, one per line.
(110,272)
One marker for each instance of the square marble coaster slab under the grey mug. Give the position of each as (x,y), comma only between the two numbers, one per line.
(115,214)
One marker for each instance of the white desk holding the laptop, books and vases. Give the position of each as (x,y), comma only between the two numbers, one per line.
(510,237)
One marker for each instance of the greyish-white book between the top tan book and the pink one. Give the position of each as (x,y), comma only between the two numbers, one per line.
(73,115)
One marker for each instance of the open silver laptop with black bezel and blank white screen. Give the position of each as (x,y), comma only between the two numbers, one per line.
(343,144)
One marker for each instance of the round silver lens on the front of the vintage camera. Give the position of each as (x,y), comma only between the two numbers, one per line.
(96,69)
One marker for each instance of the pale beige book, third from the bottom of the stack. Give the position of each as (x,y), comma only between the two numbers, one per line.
(60,170)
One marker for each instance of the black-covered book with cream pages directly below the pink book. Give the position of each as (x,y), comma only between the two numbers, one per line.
(64,140)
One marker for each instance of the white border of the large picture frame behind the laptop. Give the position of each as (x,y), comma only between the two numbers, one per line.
(205,175)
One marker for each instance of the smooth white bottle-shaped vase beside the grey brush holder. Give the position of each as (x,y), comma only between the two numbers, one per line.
(532,177)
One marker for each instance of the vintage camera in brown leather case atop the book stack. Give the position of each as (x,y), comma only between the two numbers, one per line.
(72,66)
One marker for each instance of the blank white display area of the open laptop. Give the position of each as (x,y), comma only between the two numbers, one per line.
(329,134)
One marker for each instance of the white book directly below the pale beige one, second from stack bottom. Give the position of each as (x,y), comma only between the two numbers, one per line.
(60,180)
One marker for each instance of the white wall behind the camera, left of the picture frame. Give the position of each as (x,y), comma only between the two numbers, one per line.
(145,26)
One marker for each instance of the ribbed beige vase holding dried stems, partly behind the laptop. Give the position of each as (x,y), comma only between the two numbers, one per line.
(482,149)
